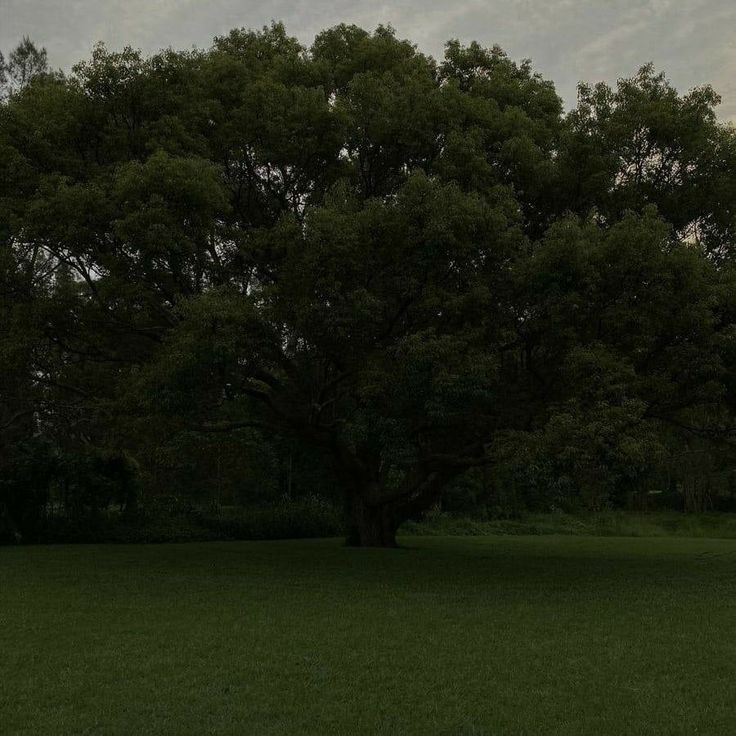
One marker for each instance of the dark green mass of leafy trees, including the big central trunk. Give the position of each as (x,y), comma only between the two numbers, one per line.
(354,270)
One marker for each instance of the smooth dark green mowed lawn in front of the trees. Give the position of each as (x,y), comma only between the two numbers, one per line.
(481,635)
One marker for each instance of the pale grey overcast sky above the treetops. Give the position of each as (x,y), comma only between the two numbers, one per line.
(693,41)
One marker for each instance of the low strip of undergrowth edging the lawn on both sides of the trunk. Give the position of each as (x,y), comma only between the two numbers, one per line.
(171,520)
